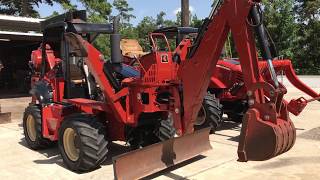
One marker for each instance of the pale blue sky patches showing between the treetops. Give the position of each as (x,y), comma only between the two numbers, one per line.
(144,8)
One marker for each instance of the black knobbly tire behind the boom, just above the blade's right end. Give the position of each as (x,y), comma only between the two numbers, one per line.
(212,109)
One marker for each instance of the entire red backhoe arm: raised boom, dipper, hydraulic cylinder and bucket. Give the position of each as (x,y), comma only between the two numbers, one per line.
(267,130)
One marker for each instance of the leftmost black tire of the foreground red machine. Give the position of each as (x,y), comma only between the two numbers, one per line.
(37,141)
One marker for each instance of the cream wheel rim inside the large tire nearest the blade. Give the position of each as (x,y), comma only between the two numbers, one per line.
(70,144)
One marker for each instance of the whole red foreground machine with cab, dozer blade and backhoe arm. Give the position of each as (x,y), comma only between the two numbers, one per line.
(107,102)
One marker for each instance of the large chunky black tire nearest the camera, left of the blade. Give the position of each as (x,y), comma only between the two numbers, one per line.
(91,141)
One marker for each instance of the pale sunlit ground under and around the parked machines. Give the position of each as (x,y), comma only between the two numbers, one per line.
(302,162)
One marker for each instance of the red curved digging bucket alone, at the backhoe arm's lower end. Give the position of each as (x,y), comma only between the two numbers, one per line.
(261,140)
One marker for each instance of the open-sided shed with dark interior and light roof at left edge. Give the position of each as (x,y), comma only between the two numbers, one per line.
(19,36)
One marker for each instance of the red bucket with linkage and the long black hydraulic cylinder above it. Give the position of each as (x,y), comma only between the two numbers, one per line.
(267,130)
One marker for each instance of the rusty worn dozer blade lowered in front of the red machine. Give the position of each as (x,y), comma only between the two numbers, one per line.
(151,159)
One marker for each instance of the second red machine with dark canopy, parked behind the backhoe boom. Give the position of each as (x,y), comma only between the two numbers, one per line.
(227,84)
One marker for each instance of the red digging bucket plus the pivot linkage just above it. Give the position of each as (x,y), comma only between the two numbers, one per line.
(267,130)
